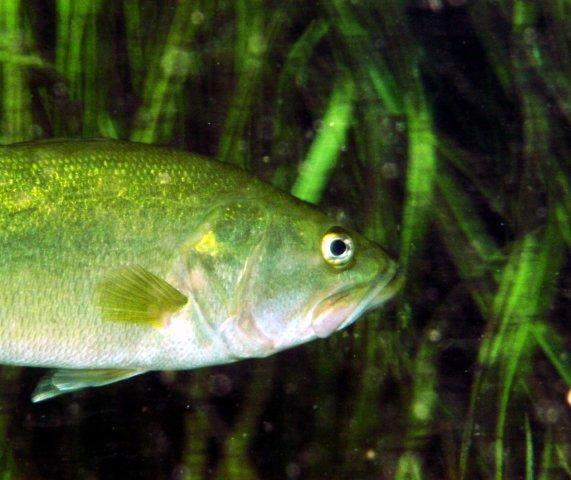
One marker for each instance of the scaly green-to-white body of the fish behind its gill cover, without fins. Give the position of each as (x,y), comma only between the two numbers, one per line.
(62,245)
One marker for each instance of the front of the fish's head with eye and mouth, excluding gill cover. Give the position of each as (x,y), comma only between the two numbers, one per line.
(313,278)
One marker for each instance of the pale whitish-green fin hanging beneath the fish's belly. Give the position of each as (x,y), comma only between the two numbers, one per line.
(59,382)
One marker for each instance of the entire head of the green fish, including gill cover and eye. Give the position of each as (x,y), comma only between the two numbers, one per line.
(271,276)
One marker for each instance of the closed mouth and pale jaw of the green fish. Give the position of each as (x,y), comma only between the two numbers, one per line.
(340,309)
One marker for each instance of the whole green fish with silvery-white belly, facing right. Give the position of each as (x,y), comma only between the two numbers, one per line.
(119,258)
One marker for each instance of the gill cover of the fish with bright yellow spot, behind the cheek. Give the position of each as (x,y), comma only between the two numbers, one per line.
(219,274)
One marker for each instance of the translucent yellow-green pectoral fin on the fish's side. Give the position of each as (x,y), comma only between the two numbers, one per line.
(133,294)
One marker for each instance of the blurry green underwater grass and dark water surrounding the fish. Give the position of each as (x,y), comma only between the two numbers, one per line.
(440,129)
